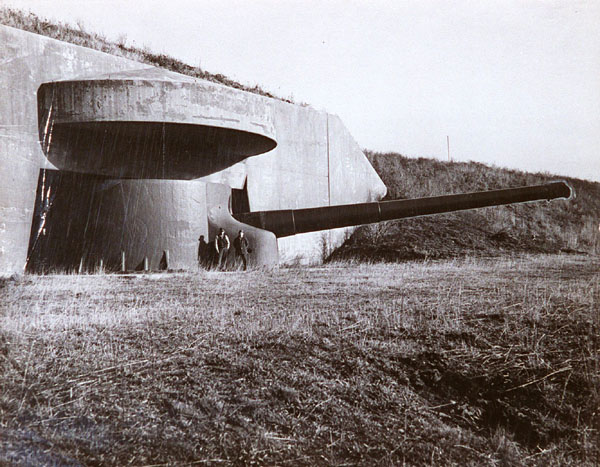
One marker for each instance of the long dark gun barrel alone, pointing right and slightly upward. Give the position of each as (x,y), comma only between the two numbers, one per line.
(284,223)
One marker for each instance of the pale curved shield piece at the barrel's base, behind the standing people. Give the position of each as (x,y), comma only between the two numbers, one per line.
(262,243)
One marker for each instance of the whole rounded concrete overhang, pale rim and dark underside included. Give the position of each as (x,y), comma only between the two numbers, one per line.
(150,123)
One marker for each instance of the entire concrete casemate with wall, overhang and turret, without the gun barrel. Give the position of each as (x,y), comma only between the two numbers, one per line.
(131,160)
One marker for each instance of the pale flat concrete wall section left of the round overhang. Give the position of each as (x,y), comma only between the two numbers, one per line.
(26,61)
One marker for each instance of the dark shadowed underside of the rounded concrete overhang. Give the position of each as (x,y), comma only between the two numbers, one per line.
(150,149)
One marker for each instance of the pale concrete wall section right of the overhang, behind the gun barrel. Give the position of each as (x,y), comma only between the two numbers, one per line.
(316,163)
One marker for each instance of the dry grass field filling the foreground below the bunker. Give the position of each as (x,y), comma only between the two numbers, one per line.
(480,362)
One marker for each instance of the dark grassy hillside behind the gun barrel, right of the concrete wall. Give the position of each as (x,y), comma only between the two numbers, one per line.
(543,227)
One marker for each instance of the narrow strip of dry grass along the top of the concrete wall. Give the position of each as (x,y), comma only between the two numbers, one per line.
(76,35)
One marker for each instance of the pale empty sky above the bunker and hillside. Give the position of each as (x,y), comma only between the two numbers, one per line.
(512,83)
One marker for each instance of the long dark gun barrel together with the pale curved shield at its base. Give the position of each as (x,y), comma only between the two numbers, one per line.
(264,227)
